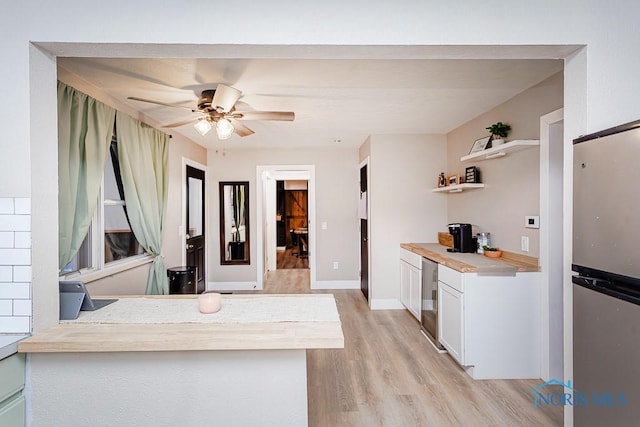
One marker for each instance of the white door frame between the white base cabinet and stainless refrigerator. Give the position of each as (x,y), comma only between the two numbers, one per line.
(551,247)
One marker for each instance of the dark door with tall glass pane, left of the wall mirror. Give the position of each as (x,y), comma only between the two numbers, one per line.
(196,242)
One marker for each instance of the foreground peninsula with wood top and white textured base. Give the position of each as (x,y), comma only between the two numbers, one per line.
(159,361)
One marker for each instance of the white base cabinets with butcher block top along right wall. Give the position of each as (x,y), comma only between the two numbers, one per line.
(488,310)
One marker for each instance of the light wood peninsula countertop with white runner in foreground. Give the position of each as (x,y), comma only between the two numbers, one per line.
(145,323)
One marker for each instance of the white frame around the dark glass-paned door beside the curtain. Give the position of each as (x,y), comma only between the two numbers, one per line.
(183,222)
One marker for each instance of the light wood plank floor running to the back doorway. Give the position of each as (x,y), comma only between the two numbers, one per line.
(389,375)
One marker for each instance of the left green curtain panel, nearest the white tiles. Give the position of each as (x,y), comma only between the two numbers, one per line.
(85,128)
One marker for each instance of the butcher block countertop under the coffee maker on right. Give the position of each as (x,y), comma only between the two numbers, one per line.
(509,264)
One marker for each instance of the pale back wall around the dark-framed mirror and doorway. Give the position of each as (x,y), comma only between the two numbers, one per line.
(337,190)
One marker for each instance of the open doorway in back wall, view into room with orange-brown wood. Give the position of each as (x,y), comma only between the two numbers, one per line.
(291,224)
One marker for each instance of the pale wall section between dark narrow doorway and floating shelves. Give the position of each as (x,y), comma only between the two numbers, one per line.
(402,171)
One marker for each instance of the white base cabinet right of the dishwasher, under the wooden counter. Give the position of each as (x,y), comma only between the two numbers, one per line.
(491,325)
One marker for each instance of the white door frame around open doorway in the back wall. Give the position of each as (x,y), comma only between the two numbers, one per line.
(266,245)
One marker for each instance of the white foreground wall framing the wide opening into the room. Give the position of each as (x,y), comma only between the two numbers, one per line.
(601,83)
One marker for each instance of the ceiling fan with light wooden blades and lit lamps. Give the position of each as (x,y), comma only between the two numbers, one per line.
(216,107)
